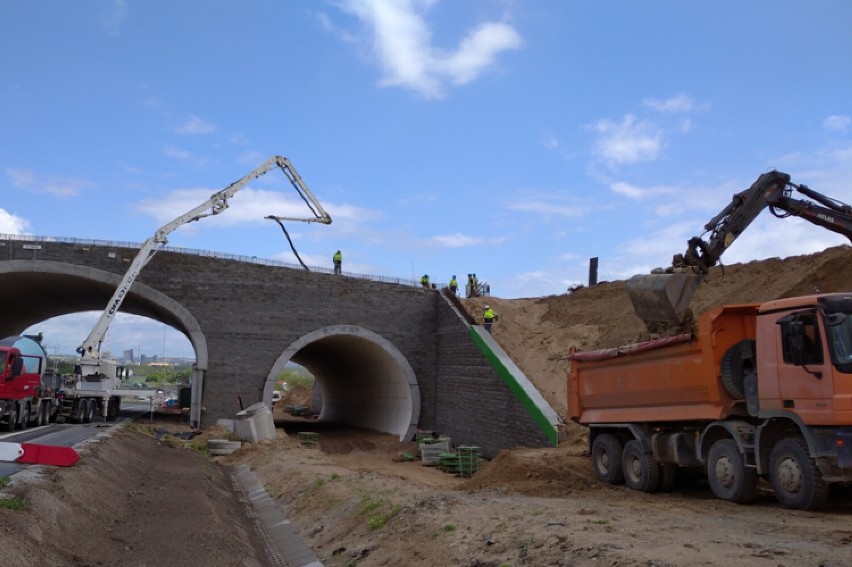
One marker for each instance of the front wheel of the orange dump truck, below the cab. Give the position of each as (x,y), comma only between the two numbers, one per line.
(795,477)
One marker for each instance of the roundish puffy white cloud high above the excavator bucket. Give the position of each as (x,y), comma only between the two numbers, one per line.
(627,142)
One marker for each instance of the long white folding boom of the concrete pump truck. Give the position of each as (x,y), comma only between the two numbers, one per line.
(216,204)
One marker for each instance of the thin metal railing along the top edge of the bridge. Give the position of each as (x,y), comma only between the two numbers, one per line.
(206,254)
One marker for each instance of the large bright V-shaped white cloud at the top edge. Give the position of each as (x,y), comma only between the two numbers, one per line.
(402,42)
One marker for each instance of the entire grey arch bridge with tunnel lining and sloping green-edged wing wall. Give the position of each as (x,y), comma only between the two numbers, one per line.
(387,354)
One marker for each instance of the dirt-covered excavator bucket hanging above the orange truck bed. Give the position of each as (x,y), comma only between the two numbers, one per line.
(662,297)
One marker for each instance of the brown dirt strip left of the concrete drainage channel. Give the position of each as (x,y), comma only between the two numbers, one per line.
(133,501)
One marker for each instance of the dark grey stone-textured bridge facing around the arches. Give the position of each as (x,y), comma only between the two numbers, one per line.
(248,313)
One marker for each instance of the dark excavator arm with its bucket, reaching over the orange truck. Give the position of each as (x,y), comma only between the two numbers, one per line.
(665,294)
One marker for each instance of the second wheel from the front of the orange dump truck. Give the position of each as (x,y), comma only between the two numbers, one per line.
(729,478)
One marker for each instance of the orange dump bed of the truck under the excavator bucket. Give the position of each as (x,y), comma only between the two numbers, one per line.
(672,379)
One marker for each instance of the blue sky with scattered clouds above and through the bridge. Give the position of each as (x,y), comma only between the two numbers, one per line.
(511,139)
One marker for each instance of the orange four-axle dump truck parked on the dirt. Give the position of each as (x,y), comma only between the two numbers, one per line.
(762,390)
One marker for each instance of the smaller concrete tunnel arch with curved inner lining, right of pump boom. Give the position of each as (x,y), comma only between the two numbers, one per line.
(365,380)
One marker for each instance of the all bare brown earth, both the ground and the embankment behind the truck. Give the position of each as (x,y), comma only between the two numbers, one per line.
(134,500)
